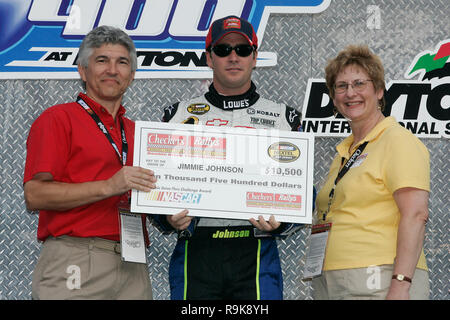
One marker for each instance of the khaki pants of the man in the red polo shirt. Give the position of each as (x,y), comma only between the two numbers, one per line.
(87,268)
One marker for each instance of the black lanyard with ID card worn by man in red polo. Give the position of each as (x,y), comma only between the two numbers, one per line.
(131,228)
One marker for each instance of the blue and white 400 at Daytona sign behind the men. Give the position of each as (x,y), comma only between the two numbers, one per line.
(40,38)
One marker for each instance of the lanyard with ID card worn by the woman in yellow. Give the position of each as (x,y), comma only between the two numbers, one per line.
(319,234)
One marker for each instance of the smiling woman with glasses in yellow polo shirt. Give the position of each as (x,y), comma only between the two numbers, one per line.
(378,206)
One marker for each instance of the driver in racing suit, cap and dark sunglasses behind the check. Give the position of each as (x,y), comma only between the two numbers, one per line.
(246,267)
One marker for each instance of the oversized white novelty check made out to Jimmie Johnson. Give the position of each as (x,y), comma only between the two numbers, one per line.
(223,172)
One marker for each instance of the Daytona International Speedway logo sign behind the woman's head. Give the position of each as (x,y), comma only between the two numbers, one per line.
(420,102)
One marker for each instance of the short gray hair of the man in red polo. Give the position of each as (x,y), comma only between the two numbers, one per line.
(106,35)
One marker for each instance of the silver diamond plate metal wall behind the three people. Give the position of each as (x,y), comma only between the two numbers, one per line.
(303,43)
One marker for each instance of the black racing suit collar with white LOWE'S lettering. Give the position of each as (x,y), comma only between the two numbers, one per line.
(230,103)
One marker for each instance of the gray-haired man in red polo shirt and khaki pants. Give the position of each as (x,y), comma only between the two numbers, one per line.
(79,173)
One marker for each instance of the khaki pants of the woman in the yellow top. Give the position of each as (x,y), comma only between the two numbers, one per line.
(371,283)
